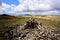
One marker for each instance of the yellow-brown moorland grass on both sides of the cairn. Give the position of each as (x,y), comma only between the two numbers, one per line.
(7,21)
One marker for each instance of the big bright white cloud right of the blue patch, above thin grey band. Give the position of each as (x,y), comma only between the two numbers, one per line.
(40,4)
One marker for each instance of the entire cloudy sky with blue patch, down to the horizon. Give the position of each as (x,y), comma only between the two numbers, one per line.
(33,7)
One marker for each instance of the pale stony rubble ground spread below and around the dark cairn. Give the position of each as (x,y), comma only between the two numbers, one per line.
(39,33)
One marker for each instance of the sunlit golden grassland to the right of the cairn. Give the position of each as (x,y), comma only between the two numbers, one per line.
(51,20)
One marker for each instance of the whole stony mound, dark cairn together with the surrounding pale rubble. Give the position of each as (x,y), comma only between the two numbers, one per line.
(28,32)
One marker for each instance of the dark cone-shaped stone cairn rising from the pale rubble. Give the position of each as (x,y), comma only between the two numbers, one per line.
(31,23)
